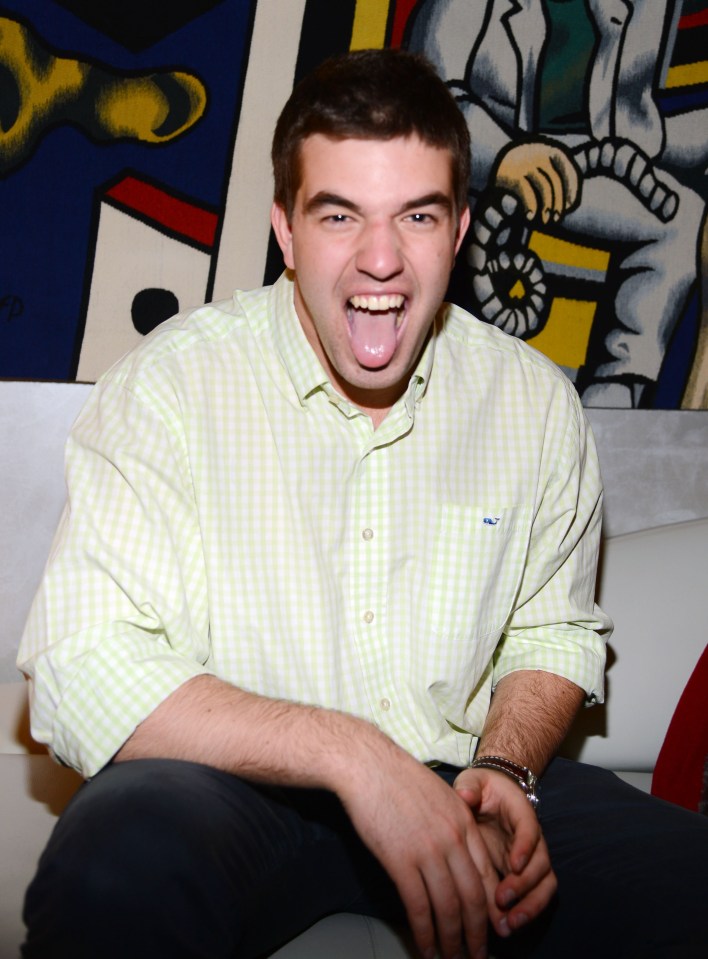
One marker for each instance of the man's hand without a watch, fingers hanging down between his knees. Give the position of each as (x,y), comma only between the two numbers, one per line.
(424,834)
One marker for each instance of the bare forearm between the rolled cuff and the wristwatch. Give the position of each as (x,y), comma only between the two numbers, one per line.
(529,716)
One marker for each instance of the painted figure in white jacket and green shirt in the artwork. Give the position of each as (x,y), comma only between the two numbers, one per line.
(538,79)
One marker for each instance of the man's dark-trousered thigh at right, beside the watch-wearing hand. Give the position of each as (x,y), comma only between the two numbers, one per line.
(632,871)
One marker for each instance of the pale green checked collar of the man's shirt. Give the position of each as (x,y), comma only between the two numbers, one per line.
(305,370)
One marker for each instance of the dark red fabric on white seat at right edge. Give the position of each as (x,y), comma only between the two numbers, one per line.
(678,775)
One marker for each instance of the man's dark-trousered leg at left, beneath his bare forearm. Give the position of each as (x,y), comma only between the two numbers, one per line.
(161,858)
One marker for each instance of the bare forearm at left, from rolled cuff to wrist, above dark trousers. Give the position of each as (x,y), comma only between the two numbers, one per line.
(210,721)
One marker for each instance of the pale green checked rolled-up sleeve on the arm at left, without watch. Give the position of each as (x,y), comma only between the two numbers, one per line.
(121,618)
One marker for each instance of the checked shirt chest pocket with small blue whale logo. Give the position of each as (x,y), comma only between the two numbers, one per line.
(478,562)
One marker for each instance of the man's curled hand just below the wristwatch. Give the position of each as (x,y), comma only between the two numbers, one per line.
(513,838)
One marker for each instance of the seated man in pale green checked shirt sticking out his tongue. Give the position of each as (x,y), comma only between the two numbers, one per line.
(330,549)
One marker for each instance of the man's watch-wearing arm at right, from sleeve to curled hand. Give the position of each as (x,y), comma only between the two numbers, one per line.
(550,659)
